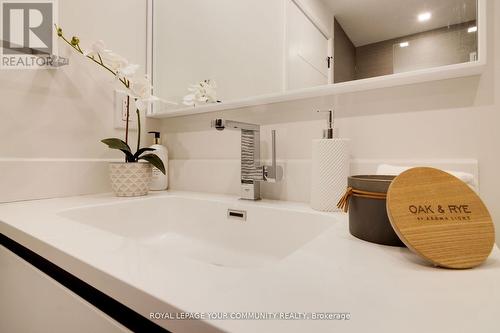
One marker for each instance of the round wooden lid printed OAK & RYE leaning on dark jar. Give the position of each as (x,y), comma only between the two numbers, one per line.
(440,218)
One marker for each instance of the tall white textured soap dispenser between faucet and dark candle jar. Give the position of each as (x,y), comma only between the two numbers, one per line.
(330,168)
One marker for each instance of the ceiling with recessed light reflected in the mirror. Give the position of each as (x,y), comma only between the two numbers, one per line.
(371,21)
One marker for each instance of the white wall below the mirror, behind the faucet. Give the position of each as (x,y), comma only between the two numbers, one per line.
(452,119)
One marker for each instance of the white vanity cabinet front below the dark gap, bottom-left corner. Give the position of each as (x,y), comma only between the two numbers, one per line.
(32,302)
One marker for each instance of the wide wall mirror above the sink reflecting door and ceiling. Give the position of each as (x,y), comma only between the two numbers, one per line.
(207,52)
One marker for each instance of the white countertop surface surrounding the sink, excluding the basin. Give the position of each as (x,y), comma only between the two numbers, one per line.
(384,289)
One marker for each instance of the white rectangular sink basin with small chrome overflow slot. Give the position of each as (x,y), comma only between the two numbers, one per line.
(202,229)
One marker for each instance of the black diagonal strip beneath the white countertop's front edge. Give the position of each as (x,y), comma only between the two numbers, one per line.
(114,309)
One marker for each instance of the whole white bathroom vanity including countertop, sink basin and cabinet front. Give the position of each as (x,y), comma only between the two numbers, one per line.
(180,252)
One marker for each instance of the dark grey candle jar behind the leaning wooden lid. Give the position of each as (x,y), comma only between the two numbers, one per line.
(368,218)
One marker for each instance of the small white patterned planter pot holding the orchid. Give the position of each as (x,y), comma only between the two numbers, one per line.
(130,179)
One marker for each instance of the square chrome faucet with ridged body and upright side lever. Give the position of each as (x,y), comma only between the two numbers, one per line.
(252,173)
